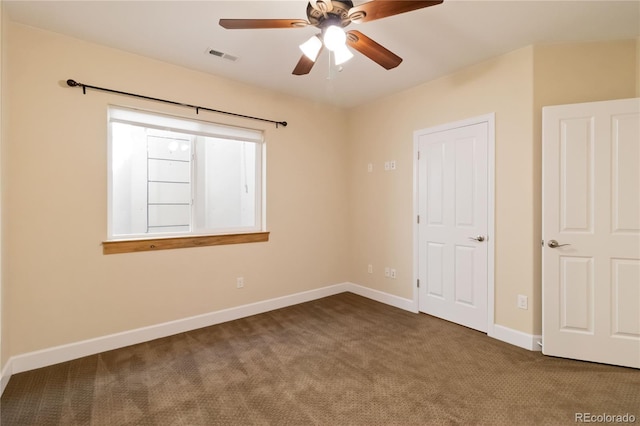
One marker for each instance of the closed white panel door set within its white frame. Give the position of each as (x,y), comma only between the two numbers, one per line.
(452,191)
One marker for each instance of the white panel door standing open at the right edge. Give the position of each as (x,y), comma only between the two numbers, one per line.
(591,232)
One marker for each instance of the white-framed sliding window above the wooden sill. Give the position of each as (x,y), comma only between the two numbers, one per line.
(170,176)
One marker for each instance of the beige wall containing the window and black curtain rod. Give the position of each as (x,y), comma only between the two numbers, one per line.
(61,288)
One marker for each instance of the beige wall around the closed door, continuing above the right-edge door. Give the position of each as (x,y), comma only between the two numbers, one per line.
(514,86)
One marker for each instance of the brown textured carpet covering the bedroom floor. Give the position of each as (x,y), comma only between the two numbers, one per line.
(342,360)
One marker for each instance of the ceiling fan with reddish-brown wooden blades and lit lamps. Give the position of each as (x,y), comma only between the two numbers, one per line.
(331,16)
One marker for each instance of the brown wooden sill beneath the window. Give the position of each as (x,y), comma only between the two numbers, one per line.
(153,244)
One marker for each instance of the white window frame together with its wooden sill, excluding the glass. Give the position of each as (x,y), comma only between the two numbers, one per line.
(194,238)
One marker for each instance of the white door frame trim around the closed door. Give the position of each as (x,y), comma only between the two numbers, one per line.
(491,140)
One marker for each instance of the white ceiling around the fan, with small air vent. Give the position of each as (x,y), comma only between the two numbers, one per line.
(433,42)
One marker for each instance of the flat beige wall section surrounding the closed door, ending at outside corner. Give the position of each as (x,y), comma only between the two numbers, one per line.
(382,204)
